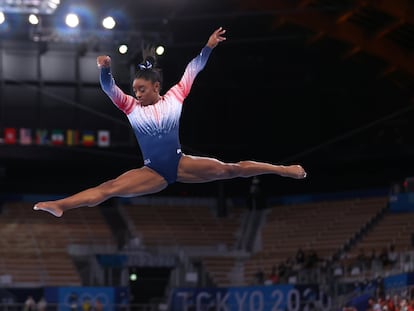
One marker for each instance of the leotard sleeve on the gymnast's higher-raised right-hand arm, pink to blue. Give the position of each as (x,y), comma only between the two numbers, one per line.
(182,88)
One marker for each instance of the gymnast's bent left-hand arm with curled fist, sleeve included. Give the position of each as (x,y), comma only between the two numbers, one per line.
(124,102)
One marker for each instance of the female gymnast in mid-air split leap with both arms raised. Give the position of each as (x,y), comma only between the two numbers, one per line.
(155,121)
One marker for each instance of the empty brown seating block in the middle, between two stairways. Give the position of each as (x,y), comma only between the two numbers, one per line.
(165,225)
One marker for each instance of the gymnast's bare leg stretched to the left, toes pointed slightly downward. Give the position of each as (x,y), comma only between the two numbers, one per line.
(132,183)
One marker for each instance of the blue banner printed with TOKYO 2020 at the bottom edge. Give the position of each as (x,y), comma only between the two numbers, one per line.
(257,298)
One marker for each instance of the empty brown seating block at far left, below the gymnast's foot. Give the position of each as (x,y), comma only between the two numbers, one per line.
(34,244)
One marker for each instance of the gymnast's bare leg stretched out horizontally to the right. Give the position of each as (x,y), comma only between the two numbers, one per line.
(193,169)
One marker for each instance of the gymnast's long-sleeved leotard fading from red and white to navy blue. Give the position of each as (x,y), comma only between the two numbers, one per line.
(156,127)
